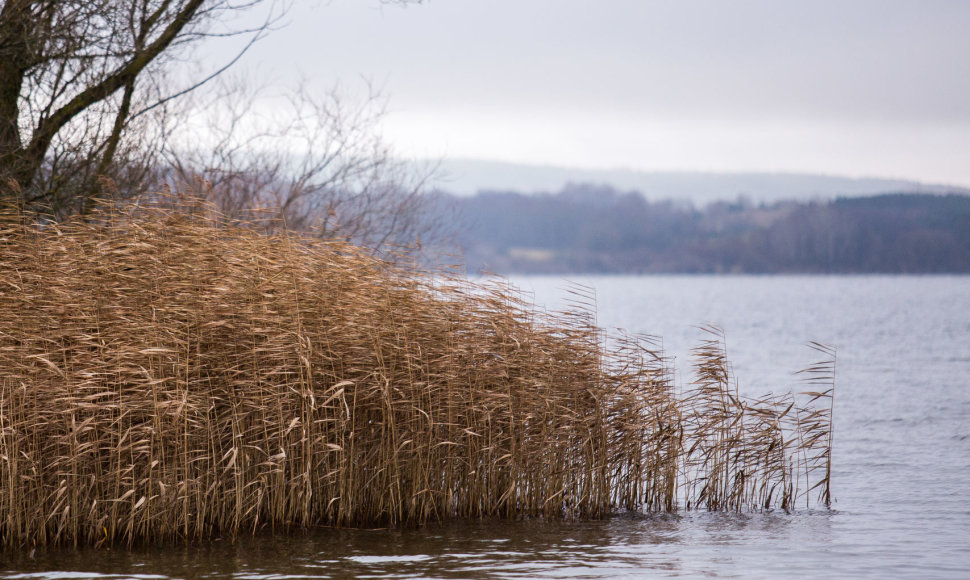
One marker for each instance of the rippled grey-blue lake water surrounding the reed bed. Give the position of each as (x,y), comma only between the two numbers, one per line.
(901,475)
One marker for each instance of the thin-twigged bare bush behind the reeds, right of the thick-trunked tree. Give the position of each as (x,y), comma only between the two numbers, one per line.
(302,159)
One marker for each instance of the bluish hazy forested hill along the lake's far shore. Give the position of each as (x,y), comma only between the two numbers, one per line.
(601,230)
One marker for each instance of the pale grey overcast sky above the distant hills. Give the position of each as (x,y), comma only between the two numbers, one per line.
(847,87)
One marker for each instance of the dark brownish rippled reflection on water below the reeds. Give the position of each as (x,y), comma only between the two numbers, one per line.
(676,545)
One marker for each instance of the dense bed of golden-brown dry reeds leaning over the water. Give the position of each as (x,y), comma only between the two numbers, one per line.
(171,376)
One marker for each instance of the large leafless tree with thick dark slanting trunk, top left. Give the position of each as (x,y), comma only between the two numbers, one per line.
(79,81)
